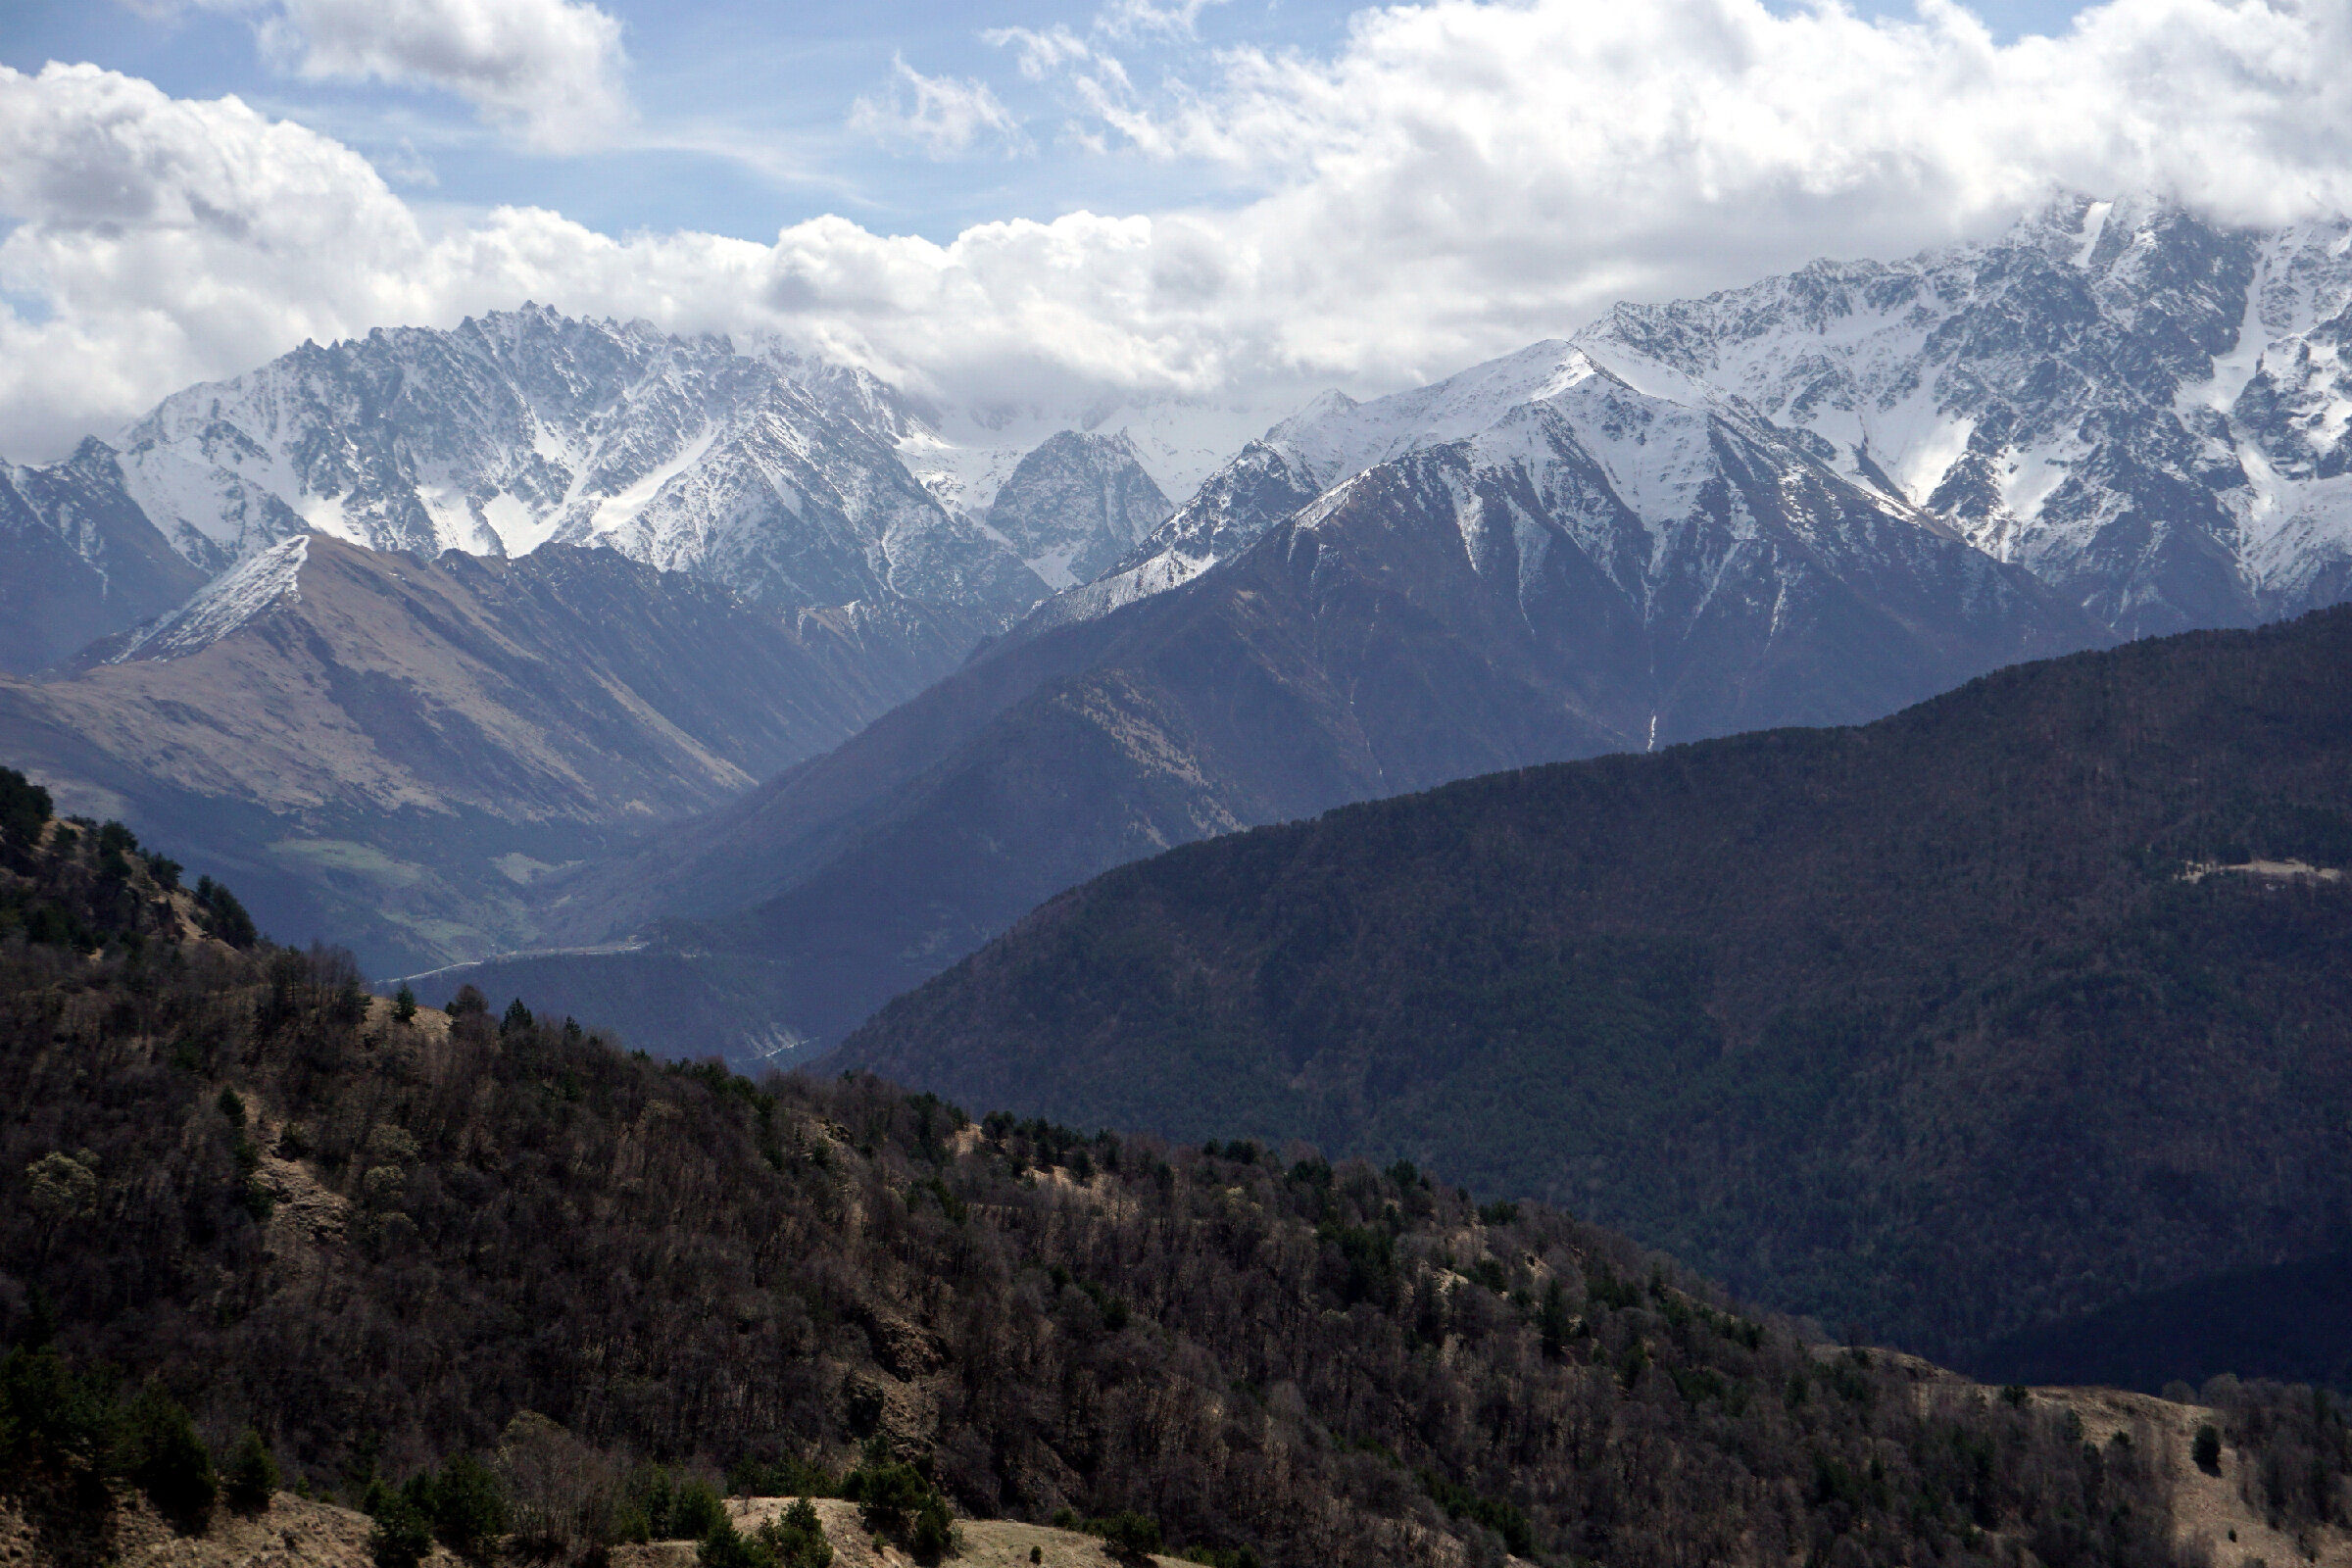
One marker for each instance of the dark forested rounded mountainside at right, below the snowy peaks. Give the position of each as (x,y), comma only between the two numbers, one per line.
(1991,1014)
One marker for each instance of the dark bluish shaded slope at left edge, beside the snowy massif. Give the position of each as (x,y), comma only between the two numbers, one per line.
(79,561)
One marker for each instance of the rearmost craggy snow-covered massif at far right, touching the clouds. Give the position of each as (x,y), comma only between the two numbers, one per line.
(2144,410)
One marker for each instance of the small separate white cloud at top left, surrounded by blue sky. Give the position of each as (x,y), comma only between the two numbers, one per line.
(552,69)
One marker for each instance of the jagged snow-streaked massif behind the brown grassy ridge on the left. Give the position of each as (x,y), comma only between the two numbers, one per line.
(526,427)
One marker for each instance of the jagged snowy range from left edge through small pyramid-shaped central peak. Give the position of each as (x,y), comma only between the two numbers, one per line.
(773,476)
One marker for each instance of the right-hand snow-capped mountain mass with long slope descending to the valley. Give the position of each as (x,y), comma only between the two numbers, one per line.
(1815,500)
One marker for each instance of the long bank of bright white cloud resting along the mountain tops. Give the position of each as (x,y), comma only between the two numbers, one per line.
(1452,182)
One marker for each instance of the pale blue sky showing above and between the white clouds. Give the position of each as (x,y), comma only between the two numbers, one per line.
(744,107)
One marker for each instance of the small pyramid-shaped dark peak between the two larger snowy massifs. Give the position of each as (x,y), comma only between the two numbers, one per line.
(1076,504)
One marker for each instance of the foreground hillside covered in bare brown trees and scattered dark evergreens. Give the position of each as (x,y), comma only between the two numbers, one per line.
(385,1240)
